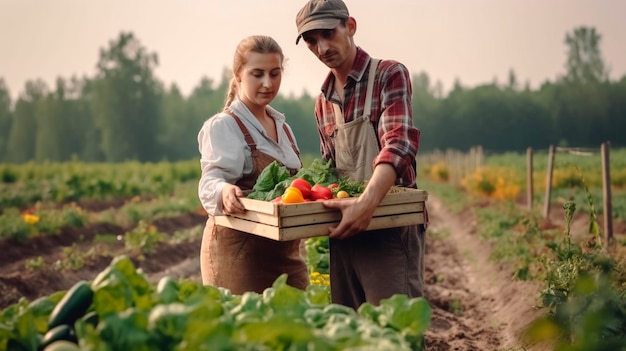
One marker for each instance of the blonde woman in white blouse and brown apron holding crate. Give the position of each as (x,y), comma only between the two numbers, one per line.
(235,146)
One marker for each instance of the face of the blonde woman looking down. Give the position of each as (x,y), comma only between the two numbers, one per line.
(259,79)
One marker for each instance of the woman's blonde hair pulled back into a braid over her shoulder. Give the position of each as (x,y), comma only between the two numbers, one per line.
(261,44)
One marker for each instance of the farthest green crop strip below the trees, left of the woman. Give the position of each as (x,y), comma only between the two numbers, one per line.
(26,184)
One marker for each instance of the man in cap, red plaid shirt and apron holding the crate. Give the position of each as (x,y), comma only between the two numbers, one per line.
(365,123)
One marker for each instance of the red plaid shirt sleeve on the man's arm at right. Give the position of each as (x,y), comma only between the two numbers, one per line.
(399,138)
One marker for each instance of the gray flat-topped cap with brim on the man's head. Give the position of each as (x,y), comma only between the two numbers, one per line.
(320,14)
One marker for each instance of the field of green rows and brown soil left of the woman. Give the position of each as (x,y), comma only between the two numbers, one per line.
(63,223)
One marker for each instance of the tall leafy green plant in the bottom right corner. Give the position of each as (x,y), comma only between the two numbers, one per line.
(587,307)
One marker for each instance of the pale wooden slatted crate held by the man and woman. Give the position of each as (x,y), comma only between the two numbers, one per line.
(400,207)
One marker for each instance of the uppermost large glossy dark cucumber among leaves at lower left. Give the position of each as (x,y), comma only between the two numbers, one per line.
(72,306)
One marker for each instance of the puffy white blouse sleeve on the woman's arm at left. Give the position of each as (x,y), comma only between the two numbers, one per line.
(220,161)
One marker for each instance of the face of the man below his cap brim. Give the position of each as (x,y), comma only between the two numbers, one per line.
(331,46)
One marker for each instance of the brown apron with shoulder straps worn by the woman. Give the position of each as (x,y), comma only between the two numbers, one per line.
(242,262)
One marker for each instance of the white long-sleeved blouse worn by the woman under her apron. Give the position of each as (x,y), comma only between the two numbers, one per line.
(225,156)
